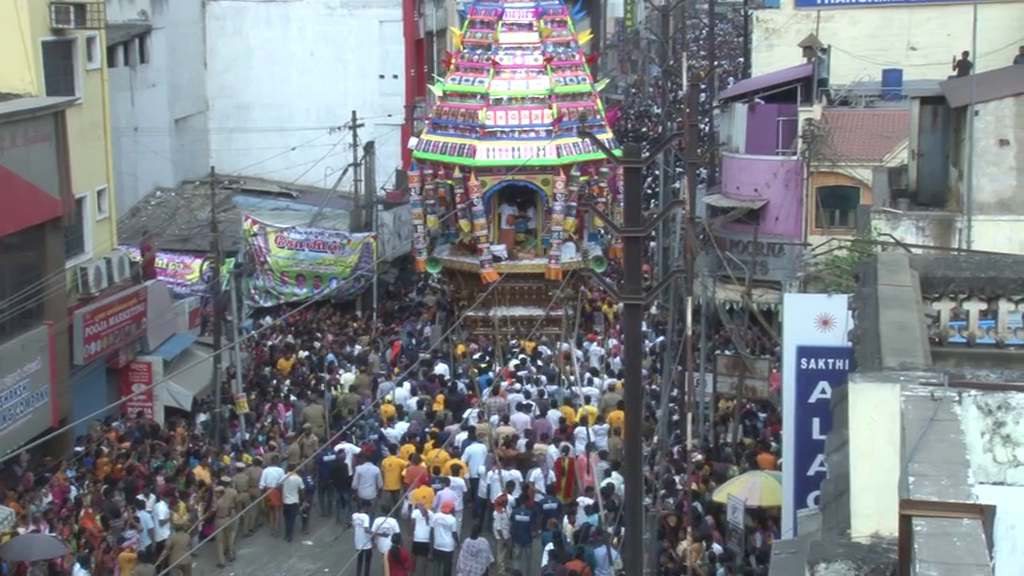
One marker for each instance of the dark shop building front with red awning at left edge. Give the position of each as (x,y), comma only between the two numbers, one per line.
(35,177)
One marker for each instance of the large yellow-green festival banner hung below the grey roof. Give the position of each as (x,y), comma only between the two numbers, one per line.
(295,264)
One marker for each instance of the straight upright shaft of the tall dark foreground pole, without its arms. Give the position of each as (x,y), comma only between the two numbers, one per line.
(632,289)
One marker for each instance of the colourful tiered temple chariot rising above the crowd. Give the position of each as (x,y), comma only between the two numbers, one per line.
(500,170)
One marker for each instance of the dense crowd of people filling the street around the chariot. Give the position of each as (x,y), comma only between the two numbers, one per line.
(464,459)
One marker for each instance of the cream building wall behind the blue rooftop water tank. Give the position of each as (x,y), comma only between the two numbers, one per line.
(921,38)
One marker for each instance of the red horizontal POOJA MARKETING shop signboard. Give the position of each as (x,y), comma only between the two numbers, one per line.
(105,326)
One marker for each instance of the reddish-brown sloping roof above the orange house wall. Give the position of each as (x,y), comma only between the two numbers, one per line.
(862,136)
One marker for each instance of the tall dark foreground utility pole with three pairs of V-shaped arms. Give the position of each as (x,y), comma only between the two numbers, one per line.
(633,298)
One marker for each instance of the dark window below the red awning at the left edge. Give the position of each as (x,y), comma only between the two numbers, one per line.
(23,267)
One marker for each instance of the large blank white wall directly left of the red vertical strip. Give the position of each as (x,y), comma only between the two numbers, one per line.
(307,66)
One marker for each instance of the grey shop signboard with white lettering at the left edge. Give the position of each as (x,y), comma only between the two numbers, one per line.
(28,388)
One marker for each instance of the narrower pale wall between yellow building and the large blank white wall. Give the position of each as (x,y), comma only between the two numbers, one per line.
(158,109)
